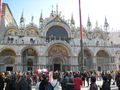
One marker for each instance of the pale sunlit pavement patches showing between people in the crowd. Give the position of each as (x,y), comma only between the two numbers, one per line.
(113,87)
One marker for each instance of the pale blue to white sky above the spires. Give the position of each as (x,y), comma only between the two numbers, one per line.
(97,10)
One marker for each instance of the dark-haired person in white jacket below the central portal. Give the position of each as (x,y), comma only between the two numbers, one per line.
(55,83)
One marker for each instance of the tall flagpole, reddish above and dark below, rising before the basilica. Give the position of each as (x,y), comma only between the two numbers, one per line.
(81,41)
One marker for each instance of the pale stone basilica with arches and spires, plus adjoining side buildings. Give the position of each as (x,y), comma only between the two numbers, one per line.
(55,44)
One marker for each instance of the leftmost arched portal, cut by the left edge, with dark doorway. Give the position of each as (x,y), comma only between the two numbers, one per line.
(7,60)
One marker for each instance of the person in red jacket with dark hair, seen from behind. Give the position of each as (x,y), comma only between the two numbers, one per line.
(77,82)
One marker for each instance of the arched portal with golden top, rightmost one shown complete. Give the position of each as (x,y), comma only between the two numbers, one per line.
(102,58)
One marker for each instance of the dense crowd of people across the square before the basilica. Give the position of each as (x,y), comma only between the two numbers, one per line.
(58,80)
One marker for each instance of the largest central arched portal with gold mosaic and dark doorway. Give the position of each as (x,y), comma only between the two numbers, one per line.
(58,58)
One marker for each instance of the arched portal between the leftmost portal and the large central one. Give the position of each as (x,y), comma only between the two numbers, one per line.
(29,59)
